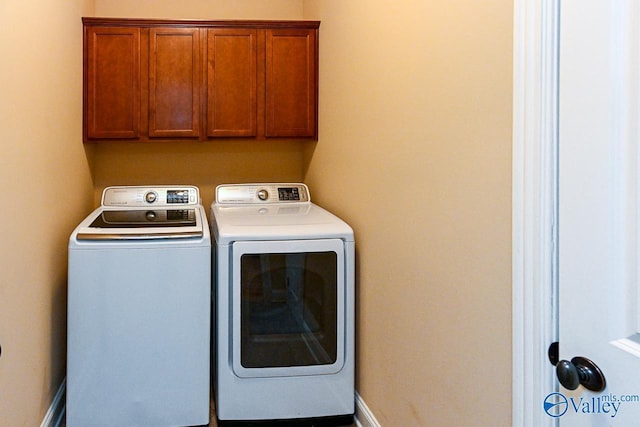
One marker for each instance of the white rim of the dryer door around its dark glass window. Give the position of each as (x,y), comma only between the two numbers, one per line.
(281,247)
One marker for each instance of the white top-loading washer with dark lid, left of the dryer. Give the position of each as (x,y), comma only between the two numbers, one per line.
(138,327)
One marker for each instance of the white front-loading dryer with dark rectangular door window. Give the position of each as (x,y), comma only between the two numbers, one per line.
(284,307)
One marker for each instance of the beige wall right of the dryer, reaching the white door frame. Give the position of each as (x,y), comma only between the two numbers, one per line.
(415,134)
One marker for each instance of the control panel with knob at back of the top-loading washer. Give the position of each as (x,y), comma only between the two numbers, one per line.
(139,196)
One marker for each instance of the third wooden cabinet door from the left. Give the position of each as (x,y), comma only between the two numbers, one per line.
(231,83)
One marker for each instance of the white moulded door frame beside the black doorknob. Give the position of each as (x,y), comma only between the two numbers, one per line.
(534,207)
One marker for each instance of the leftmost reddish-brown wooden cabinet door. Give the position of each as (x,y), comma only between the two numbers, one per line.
(112,82)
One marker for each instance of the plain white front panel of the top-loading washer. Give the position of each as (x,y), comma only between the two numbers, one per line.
(138,334)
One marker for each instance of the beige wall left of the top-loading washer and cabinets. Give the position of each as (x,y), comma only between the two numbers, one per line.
(46,189)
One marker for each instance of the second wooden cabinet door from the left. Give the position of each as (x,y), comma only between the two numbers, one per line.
(174,82)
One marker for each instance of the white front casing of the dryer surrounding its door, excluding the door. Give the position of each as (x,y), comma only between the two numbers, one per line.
(268,398)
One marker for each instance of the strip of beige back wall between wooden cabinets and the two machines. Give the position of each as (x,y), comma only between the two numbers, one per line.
(203,164)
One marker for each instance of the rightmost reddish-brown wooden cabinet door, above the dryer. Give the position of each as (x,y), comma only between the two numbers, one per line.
(291,83)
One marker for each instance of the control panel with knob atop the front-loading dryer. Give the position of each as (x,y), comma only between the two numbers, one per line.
(234,194)
